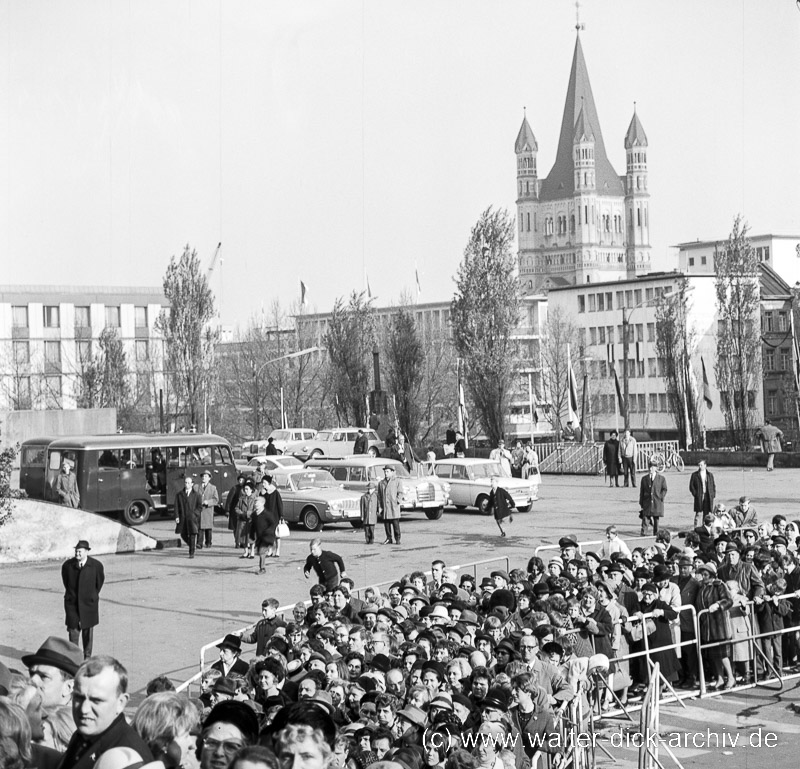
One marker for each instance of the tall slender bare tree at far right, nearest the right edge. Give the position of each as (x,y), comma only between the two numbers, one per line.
(738,360)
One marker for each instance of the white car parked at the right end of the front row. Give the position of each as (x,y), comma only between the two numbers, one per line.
(470,483)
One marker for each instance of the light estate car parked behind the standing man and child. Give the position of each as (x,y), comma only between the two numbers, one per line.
(424,492)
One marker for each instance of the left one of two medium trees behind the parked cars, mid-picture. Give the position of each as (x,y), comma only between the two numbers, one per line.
(350,339)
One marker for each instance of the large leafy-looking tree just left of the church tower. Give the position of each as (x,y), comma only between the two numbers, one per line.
(484,314)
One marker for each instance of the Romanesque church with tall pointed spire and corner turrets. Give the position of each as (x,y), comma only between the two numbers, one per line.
(583,222)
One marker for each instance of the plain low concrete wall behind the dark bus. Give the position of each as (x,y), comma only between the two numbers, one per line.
(19,426)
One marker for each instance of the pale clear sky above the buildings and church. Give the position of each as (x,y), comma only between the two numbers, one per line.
(340,141)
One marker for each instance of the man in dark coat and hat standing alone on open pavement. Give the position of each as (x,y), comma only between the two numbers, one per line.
(83,579)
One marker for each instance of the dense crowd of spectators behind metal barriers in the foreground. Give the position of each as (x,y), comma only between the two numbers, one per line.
(435,671)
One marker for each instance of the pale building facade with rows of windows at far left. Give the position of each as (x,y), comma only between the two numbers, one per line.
(49,333)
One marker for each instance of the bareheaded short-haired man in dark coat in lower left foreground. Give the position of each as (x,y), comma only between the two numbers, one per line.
(98,709)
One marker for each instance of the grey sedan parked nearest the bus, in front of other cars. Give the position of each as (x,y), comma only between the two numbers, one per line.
(314,497)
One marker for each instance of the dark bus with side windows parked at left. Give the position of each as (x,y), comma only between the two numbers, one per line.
(132,474)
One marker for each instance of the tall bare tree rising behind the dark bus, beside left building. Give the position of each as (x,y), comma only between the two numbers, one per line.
(188,333)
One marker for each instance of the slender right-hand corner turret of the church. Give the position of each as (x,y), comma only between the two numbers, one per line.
(637,198)
